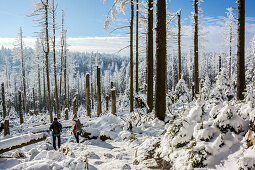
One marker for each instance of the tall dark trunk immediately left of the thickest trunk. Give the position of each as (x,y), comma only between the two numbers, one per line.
(149,60)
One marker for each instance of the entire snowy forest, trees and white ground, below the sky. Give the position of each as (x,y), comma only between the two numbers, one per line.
(165,105)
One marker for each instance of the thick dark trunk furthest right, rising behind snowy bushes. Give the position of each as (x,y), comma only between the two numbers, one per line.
(240,50)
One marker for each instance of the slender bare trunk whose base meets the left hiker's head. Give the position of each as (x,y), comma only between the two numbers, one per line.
(54,59)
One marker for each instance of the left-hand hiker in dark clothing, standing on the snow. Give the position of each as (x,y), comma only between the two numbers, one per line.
(56,128)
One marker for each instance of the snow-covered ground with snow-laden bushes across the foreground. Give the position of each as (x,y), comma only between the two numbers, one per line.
(203,133)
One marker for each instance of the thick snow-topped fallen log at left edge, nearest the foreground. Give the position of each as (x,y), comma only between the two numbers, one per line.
(20,141)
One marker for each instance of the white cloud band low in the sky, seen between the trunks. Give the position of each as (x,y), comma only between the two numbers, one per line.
(212,39)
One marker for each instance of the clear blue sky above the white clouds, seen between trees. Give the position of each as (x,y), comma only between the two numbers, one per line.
(85,18)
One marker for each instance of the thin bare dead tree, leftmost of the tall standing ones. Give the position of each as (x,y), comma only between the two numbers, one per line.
(23,71)
